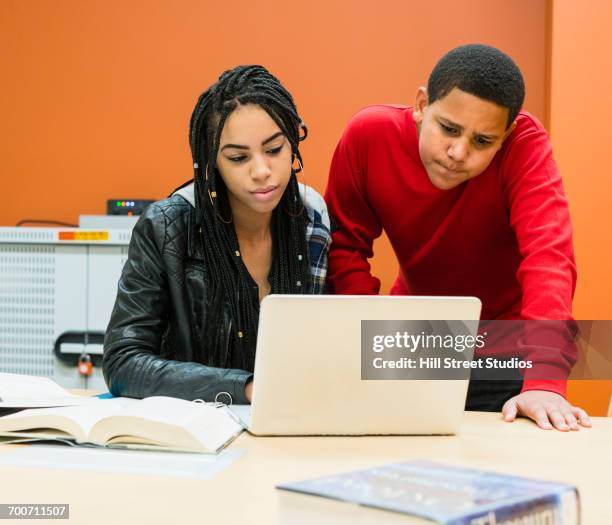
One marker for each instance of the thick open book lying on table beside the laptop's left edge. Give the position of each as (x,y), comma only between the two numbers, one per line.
(159,423)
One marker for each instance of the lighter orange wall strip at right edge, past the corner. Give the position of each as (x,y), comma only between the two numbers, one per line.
(580,113)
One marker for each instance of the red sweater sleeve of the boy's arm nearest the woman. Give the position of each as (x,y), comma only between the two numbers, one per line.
(354,222)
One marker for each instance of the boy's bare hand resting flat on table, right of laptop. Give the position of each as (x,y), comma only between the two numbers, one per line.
(547,409)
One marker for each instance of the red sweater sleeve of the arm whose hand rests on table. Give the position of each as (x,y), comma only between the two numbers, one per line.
(539,216)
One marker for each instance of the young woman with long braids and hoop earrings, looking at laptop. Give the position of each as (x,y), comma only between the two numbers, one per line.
(185,319)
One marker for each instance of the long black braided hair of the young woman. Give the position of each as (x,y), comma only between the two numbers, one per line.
(229,279)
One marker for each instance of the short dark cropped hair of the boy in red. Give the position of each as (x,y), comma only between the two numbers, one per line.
(482,71)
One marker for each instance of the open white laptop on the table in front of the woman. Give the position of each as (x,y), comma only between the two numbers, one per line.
(308,375)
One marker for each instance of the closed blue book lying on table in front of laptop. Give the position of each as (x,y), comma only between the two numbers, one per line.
(450,495)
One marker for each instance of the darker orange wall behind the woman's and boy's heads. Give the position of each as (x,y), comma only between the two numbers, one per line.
(96,96)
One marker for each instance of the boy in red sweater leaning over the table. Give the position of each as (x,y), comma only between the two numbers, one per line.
(465,186)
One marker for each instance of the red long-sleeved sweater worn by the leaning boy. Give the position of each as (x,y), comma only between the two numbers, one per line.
(504,236)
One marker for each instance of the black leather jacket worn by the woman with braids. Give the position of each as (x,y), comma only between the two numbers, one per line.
(158,338)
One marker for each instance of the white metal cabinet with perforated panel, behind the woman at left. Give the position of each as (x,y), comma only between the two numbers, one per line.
(57,290)
